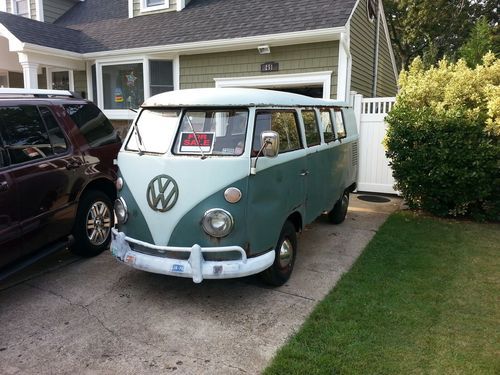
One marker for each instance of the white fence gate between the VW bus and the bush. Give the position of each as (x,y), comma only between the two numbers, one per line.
(374,173)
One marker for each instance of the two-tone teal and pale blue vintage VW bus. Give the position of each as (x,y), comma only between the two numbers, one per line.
(216,183)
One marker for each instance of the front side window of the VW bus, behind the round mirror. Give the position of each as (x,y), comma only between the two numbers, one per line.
(284,123)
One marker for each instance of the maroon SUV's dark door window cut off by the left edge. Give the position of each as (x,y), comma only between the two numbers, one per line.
(24,134)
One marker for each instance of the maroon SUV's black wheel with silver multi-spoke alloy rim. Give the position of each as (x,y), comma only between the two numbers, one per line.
(94,220)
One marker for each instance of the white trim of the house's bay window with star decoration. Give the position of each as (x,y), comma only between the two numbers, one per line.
(125,114)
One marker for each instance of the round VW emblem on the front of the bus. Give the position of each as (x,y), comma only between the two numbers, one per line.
(162,193)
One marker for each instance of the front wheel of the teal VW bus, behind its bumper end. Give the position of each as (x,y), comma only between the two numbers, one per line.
(285,255)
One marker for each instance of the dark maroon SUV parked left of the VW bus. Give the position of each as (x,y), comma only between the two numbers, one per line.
(56,173)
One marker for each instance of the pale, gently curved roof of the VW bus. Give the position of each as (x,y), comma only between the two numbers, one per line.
(235,97)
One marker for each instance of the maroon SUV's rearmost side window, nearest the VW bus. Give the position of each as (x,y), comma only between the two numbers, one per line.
(93,124)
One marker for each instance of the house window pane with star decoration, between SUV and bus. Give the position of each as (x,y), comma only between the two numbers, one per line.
(123,86)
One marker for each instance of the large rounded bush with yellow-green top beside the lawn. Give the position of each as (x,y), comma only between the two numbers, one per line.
(443,139)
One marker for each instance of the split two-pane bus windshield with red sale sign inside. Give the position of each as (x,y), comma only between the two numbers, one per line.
(204,132)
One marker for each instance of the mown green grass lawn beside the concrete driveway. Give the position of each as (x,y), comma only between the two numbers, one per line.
(423,298)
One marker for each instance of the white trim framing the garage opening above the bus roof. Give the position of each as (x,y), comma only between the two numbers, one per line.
(281,80)
